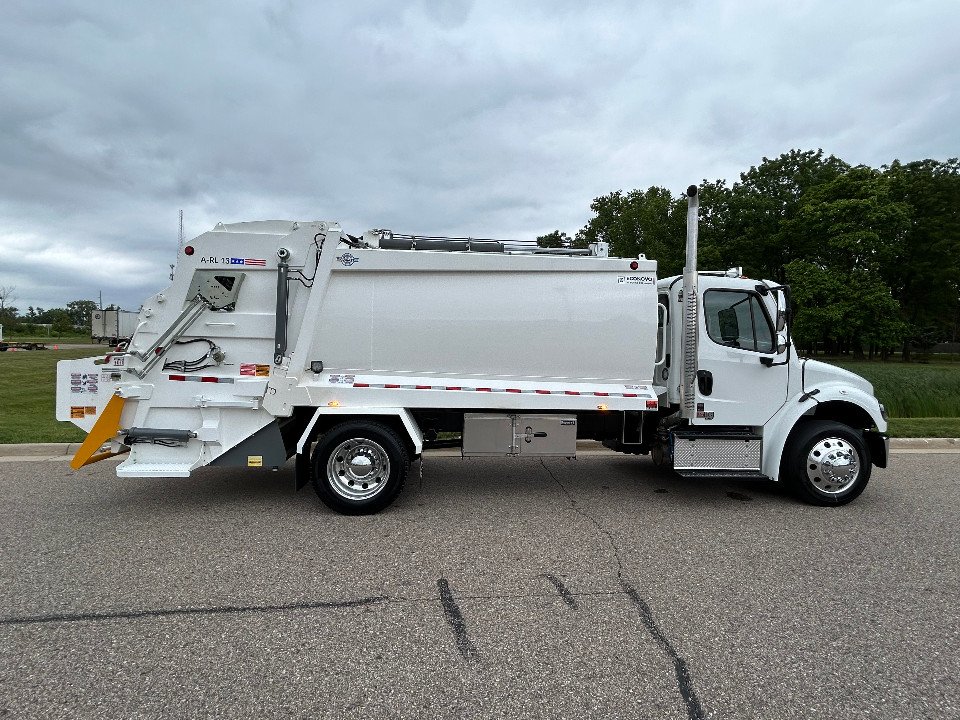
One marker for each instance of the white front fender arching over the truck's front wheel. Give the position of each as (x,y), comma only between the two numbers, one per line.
(778,428)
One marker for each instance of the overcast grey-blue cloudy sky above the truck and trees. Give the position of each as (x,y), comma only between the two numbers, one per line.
(491,118)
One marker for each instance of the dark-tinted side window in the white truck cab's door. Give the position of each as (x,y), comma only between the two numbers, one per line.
(737,319)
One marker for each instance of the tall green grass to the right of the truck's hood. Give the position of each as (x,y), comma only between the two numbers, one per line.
(911,390)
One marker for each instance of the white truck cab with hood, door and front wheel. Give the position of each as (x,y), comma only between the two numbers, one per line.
(759,410)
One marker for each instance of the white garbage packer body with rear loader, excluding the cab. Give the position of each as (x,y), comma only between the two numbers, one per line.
(395,330)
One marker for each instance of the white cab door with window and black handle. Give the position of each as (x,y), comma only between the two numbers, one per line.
(733,386)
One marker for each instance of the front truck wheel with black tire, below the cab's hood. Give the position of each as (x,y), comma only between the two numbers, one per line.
(826,463)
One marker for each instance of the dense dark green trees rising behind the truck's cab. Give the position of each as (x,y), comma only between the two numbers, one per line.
(872,255)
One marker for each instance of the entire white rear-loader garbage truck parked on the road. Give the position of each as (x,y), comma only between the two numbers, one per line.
(352,354)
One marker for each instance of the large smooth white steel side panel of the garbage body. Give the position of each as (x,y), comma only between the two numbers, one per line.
(505,316)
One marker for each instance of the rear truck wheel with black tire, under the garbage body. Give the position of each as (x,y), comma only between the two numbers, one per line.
(358,468)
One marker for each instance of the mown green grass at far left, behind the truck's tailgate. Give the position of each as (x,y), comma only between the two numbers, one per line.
(27,396)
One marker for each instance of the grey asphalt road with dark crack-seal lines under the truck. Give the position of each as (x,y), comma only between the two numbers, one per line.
(493,588)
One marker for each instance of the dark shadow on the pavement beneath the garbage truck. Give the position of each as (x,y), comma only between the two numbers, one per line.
(449,481)
